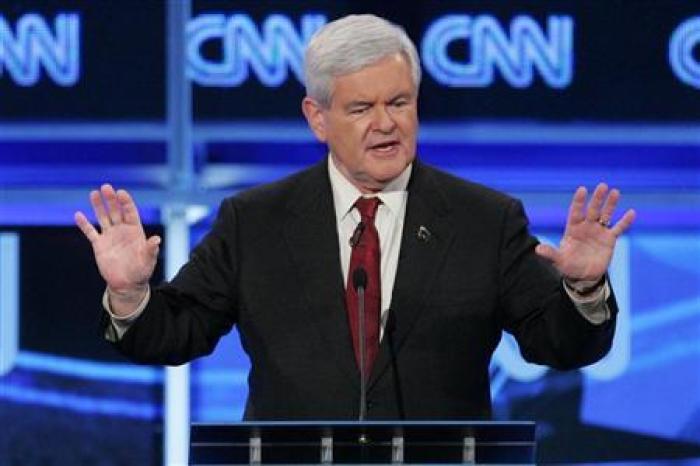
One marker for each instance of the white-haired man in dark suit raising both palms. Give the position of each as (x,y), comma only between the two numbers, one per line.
(445,265)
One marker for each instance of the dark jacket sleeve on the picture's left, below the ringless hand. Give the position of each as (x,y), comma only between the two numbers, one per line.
(185,318)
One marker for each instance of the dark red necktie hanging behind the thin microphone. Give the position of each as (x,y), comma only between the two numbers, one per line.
(365,253)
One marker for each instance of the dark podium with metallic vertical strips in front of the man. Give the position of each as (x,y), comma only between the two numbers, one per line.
(375,442)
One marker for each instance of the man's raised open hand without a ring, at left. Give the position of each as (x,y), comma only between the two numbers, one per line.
(124,256)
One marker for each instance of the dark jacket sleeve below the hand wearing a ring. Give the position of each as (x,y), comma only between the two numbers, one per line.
(537,310)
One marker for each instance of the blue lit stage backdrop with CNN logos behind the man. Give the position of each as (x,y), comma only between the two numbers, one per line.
(530,98)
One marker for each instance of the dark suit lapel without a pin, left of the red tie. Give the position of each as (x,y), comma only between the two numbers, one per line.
(312,238)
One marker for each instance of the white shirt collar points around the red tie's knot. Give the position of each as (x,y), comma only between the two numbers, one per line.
(345,193)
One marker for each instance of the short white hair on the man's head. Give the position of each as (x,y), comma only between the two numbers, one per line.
(349,44)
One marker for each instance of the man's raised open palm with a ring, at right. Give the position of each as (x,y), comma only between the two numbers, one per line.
(588,243)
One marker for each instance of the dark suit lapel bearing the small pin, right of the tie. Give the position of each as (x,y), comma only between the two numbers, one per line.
(419,260)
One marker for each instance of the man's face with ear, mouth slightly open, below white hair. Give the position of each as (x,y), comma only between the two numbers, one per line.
(371,124)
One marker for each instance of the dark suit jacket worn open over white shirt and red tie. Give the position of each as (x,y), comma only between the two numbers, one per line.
(271,266)
